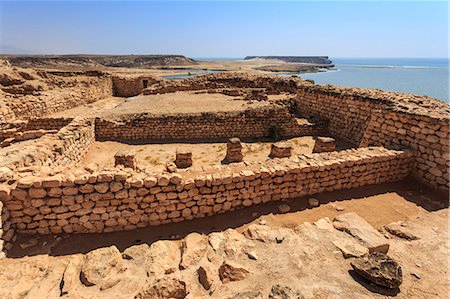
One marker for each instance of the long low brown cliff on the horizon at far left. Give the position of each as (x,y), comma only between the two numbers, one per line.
(129,61)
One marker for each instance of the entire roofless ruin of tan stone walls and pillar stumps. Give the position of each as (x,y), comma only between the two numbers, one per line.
(43,190)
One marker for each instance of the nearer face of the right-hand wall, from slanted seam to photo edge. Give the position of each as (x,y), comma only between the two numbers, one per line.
(427,136)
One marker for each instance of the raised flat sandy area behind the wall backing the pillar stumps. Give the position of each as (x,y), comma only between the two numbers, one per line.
(183,102)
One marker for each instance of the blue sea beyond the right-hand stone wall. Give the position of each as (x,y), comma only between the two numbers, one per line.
(423,76)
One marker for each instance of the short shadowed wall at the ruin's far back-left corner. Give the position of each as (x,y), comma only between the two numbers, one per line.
(131,86)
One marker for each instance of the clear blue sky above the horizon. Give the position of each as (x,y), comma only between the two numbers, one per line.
(227,29)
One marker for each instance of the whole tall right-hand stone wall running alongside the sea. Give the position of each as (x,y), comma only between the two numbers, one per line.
(372,117)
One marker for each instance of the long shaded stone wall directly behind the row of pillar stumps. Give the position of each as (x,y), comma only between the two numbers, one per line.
(243,124)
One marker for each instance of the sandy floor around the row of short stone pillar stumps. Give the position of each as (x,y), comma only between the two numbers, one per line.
(204,154)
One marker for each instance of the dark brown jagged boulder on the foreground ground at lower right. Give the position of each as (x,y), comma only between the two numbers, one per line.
(379,269)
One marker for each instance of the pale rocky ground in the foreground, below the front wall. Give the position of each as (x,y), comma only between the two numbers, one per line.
(329,258)
